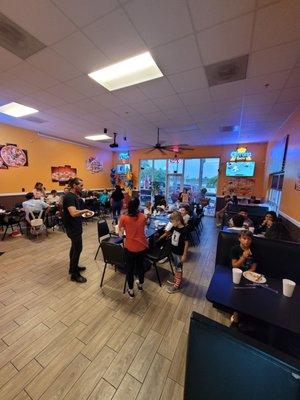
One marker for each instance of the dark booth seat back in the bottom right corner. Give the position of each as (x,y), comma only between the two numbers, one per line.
(223,364)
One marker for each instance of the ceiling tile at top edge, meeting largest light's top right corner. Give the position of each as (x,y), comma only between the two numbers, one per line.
(157,21)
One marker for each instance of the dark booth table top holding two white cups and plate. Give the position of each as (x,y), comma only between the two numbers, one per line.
(260,303)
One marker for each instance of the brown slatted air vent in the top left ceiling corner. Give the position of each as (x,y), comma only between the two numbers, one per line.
(16,40)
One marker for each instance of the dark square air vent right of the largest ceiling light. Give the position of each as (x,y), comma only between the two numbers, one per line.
(227,71)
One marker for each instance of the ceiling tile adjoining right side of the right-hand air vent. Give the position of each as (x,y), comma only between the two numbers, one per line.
(277,58)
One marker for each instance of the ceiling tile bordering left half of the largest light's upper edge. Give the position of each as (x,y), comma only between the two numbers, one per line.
(81,52)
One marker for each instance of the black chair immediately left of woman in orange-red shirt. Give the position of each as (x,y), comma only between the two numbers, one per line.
(113,254)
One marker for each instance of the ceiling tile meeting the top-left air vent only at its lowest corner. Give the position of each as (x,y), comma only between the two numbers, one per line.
(33,76)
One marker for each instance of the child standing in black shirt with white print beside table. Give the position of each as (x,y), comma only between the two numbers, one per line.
(179,245)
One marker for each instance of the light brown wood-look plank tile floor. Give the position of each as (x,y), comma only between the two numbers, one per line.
(63,340)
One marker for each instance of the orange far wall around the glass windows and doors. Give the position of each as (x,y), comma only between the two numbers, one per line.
(223,152)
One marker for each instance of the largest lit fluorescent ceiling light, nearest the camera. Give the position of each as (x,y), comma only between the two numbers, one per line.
(129,72)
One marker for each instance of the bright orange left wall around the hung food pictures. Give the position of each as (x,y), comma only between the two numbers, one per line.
(44,154)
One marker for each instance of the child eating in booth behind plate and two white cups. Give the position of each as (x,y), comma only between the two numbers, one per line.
(243,257)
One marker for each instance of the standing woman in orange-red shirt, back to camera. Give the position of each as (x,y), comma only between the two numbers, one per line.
(136,244)
